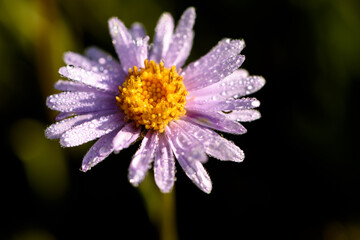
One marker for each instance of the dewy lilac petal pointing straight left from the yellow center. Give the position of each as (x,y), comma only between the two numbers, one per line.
(80,102)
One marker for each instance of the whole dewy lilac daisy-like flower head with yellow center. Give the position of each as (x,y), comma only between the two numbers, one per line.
(149,95)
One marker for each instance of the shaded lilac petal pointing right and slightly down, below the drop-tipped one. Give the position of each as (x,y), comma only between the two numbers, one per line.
(215,121)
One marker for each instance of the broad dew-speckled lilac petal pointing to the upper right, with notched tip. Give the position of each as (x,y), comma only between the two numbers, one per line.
(221,61)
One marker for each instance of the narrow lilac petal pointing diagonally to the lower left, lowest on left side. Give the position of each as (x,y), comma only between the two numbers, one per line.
(99,151)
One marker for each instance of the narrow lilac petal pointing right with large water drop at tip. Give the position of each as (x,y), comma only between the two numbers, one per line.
(227,105)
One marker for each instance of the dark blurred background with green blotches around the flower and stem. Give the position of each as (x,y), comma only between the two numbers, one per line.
(300,178)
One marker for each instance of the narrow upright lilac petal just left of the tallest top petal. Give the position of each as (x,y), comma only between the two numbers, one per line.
(162,39)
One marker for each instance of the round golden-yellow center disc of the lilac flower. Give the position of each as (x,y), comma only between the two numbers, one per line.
(152,96)
